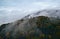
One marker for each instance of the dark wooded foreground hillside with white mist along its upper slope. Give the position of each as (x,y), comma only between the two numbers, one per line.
(32,27)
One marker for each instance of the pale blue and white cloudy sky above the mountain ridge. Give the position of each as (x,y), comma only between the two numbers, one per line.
(11,10)
